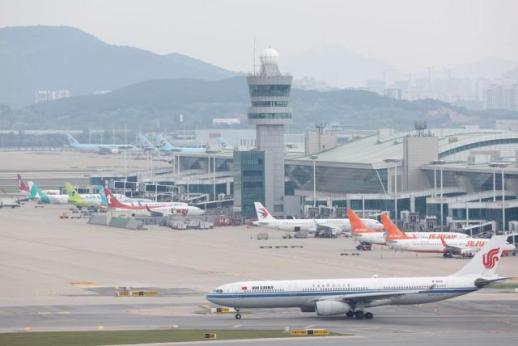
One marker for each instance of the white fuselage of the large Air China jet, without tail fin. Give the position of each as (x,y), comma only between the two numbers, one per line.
(305,293)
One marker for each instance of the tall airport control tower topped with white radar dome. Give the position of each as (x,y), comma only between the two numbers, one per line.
(270,112)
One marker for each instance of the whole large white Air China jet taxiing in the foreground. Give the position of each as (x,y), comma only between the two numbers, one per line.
(351,297)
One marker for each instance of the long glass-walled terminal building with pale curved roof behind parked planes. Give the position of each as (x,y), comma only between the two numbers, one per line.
(407,172)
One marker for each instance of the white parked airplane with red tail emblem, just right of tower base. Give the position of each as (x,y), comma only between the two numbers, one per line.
(336,226)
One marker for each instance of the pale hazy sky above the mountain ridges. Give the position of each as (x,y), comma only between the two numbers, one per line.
(410,34)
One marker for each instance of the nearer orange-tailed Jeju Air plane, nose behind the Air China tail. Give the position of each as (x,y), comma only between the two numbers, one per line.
(399,240)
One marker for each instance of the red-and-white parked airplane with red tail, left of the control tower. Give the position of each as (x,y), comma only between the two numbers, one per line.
(147,208)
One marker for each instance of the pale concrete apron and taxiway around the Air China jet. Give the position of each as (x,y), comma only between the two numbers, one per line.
(59,275)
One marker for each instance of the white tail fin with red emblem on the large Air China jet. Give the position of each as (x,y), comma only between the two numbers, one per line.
(486,260)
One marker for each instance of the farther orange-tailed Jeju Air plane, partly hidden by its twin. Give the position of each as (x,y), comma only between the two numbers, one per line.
(365,234)
